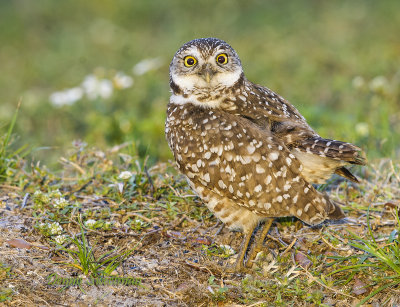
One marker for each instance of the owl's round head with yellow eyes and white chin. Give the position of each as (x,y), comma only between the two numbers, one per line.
(205,64)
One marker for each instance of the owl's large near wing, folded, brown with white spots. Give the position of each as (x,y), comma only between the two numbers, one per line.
(248,165)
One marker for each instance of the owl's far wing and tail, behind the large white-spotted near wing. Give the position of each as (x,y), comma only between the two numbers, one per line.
(271,112)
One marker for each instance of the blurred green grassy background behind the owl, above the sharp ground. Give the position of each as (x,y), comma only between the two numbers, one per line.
(338,62)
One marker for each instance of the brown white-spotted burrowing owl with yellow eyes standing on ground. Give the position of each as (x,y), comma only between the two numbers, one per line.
(246,151)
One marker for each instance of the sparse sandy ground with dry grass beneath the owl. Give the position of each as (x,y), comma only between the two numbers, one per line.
(165,238)
